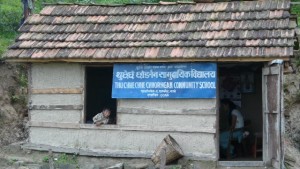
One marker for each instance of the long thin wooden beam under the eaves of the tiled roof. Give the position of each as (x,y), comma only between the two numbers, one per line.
(229,59)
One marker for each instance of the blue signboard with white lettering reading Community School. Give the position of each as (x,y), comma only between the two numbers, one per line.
(164,80)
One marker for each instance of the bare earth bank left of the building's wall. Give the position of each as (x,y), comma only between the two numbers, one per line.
(13,113)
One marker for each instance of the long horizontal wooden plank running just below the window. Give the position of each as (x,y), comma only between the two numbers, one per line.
(208,130)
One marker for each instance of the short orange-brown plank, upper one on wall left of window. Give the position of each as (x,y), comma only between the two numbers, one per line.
(57,91)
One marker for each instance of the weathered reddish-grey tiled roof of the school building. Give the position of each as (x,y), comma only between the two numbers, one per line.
(248,29)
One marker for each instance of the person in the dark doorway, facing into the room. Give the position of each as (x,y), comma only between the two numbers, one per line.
(235,131)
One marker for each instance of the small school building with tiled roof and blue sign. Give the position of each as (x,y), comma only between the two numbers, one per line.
(161,69)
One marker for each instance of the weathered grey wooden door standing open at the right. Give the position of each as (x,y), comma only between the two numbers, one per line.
(273,122)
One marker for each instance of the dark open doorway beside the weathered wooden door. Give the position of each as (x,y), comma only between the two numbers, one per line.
(241,83)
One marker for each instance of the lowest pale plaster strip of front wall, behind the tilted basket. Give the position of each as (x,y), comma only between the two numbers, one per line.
(198,145)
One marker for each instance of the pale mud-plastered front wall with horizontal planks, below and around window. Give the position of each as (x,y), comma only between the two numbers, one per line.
(141,124)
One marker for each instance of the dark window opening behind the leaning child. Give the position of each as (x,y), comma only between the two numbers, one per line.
(98,93)
